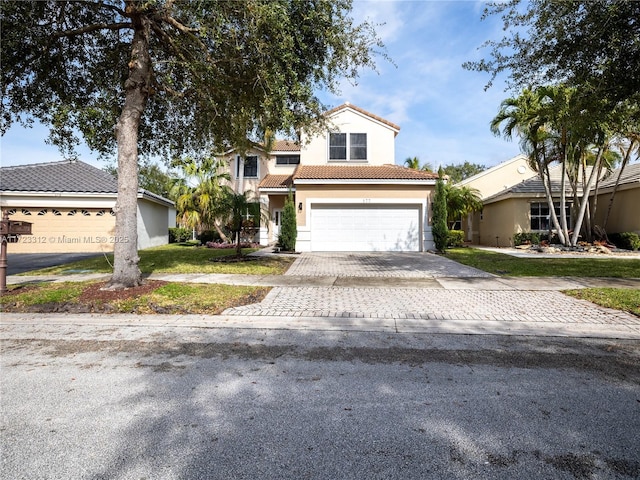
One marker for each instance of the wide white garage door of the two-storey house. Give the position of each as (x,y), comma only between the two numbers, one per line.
(365,228)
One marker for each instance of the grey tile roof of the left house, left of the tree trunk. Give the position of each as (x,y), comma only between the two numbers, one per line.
(65,176)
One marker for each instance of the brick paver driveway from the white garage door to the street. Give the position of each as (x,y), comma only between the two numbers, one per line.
(392,296)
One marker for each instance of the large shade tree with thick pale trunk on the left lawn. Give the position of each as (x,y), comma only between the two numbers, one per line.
(169,78)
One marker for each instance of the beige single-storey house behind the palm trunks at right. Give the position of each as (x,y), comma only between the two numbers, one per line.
(512,206)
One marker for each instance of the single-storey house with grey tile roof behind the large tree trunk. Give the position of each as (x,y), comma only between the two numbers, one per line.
(70,204)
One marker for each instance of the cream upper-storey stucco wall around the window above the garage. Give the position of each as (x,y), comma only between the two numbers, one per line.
(380,140)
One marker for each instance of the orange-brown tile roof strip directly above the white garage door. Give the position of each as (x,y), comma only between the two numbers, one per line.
(360,172)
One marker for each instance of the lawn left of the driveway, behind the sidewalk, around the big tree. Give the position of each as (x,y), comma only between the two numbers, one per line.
(178,258)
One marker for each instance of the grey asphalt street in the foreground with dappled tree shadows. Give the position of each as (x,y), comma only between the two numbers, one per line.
(149,402)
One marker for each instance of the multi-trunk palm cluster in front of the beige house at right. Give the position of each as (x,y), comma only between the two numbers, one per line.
(555,127)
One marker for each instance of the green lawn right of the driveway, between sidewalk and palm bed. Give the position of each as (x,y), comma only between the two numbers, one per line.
(507,265)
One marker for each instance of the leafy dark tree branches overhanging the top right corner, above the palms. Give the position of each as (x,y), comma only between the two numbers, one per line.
(585,43)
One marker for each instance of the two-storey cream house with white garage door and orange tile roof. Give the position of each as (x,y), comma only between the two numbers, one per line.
(349,194)
